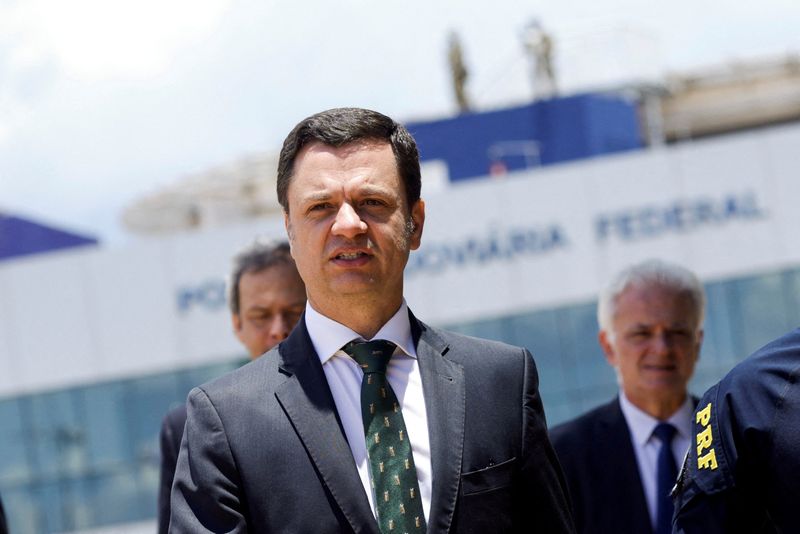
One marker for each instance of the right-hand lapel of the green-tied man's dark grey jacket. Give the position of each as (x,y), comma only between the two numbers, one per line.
(444,389)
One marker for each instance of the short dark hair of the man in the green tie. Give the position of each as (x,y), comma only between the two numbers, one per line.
(342,126)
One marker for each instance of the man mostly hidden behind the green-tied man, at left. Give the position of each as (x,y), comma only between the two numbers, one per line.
(266,297)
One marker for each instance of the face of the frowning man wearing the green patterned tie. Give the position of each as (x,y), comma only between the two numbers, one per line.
(349,224)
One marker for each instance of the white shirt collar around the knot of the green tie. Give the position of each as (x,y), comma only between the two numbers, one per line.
(328,336)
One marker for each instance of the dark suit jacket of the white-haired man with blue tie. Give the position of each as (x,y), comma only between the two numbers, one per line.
(596,453)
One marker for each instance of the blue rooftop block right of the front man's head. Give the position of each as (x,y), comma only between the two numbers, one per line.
(540,133)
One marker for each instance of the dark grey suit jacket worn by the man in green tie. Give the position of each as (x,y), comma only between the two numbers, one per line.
(264,451)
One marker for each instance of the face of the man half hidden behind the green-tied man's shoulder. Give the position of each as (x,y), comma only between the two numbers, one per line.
(270,304)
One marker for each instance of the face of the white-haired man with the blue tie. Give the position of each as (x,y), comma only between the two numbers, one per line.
(654,345)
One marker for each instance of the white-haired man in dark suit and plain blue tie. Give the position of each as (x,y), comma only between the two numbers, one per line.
(620,459)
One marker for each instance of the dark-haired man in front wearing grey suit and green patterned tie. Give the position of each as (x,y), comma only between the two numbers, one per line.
(416,430)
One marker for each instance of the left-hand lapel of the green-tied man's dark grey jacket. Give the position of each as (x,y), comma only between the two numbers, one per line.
(307,401)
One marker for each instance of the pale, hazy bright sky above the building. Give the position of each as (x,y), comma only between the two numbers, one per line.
(105,101)
